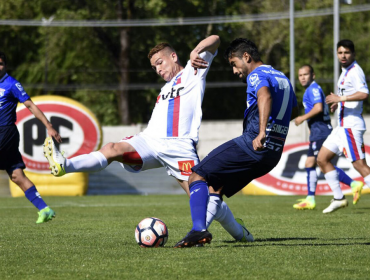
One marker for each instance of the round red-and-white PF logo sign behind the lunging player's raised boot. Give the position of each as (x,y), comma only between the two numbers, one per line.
(77,125)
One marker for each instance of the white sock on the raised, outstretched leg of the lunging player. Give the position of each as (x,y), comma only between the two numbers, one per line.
(92,162)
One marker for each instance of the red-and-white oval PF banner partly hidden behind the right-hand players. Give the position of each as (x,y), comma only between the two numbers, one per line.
(289,177)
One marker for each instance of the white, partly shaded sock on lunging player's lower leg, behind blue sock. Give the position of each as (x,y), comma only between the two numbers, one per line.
(218,210)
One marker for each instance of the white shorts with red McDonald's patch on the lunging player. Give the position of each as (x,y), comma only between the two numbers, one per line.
(178,156)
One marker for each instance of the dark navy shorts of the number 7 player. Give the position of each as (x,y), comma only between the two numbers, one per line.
(230,167)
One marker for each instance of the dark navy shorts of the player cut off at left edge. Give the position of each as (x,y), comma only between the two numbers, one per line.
(10,157)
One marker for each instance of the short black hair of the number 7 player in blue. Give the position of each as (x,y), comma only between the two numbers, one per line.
(241,45)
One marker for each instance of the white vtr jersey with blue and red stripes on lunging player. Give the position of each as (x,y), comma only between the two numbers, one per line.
(178,112)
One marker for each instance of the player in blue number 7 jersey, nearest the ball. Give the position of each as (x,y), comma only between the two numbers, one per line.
(271,104)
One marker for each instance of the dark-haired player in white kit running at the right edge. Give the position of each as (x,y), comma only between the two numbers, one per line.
(347,137)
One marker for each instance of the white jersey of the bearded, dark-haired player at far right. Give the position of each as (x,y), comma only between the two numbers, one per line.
(350,81)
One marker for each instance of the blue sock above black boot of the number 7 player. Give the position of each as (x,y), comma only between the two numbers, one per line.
(198,204)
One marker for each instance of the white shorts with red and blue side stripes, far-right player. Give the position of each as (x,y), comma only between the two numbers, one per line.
(348,141)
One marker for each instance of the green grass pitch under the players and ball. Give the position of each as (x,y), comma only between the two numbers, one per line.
(92,237)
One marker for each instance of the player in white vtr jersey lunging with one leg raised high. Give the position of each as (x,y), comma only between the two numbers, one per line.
(172,133)
